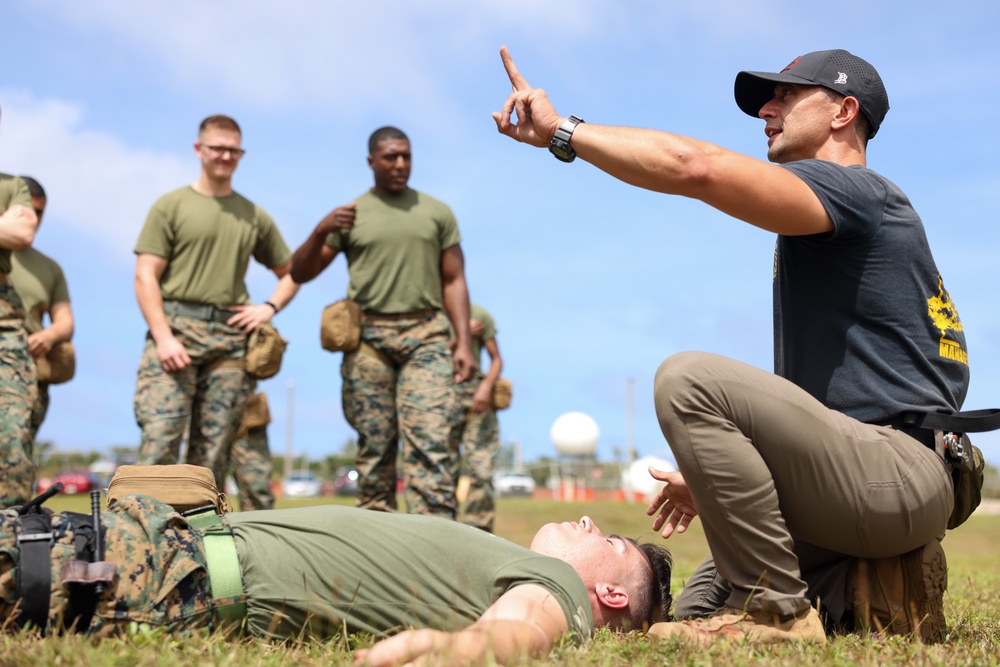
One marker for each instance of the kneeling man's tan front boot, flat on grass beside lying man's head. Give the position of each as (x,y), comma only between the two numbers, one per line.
(756,627)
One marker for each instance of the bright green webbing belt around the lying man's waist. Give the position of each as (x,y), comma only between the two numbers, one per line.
(223,565)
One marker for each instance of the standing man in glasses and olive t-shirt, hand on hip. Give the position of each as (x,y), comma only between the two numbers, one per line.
(193,254)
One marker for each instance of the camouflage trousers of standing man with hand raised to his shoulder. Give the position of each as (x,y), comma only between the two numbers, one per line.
(400,385)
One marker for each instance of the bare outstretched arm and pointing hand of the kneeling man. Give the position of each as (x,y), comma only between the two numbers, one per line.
(752,190)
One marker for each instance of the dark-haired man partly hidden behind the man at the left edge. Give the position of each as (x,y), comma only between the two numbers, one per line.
(41,284)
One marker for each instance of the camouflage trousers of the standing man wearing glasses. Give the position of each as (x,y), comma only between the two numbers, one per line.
(207,398)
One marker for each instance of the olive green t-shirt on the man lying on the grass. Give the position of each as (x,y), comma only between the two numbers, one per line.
(334,567)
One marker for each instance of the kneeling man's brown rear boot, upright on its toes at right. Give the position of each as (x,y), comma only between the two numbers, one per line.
(901,595)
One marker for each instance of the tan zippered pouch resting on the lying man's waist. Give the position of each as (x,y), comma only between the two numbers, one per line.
(182,486)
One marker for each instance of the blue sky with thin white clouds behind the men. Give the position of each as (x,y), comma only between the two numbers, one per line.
(592,283)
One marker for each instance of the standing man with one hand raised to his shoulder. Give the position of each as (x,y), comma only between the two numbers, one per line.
(406,270)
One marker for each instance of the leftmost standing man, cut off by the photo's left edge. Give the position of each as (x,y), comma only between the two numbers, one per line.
(18,223)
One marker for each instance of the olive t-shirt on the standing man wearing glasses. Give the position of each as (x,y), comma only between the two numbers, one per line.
(208,242)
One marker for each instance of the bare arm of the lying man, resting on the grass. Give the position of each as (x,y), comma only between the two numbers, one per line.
(526,621)
